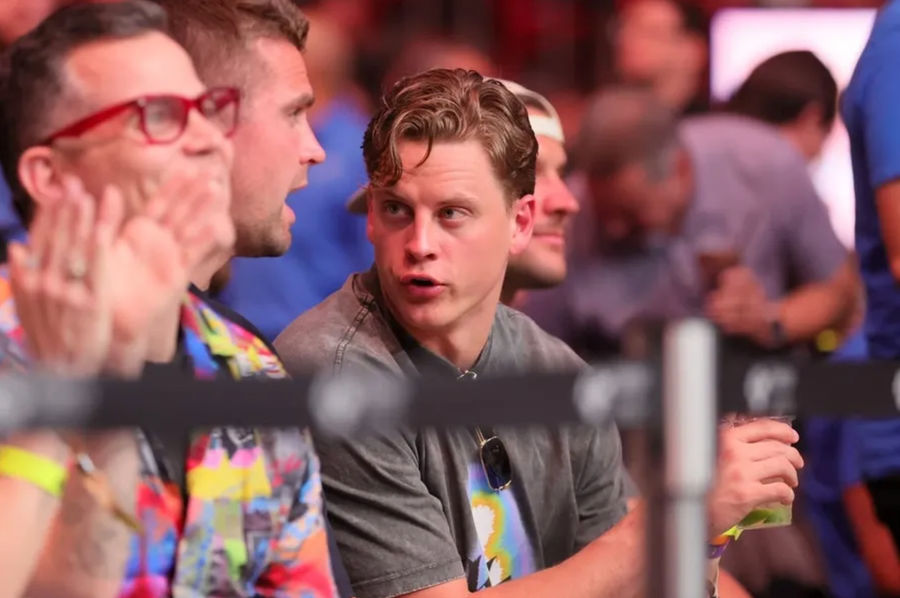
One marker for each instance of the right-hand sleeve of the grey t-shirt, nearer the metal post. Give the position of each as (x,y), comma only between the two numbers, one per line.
(600,482)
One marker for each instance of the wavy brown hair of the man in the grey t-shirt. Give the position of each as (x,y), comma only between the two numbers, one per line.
(453,105)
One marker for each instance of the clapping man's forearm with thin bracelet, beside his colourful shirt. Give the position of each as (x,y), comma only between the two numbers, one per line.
(88,547)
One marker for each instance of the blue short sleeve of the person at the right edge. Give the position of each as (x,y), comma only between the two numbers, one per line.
(881,119)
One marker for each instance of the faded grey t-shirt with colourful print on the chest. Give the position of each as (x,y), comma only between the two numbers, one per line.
(413,509)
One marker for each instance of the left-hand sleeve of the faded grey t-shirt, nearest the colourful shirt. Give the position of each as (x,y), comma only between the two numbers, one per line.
(391,531)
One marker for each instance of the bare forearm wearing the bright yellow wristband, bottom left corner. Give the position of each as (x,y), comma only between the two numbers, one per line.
(26,514)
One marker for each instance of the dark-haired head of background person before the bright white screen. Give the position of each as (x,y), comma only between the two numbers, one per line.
(795,92)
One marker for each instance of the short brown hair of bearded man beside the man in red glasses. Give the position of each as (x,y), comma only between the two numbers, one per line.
(215,31)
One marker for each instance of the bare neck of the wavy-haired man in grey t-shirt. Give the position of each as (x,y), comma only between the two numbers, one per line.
(461,343)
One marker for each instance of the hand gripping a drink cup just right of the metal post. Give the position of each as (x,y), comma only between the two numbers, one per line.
(757,466)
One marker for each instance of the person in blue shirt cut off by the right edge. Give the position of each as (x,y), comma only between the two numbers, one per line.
(869,475)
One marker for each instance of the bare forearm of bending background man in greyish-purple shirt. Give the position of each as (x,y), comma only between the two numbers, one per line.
(816,307)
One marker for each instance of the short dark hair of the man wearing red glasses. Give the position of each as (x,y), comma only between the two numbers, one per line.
(32,81)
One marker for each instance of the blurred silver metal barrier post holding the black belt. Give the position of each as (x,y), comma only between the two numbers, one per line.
(678,560)
